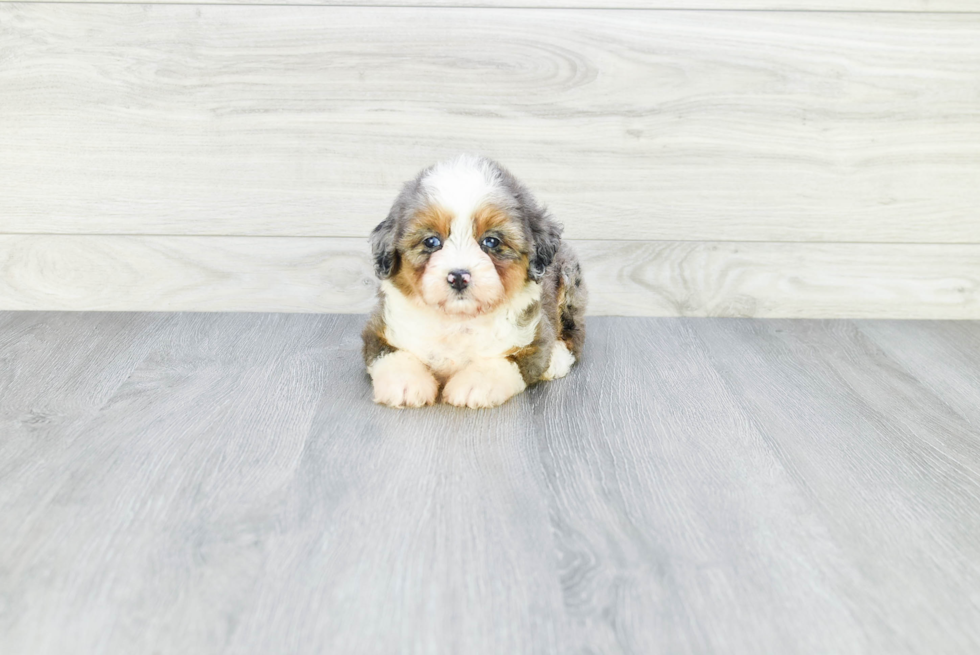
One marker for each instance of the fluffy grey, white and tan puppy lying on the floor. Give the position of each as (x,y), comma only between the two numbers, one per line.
(479,297)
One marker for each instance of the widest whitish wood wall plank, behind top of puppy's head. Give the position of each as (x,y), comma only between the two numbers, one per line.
(230,120)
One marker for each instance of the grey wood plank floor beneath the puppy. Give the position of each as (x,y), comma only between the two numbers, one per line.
(196,483)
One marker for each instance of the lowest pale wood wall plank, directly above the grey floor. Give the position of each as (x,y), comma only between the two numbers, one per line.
(119,273)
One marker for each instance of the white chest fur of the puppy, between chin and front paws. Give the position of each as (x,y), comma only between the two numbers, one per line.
(448,343)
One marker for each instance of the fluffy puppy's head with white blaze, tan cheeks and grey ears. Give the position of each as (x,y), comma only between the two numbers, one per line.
(463,237)
